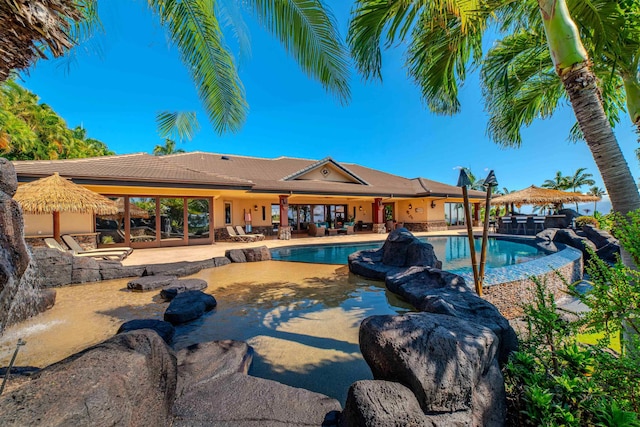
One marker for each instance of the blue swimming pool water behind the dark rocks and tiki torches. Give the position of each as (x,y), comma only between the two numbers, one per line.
(453,251)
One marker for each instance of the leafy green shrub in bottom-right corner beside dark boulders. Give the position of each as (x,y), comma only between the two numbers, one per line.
(555,381)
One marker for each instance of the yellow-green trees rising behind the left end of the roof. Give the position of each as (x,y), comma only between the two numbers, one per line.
(30,130)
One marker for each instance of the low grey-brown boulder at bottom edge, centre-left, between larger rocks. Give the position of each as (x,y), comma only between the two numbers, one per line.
(240,400)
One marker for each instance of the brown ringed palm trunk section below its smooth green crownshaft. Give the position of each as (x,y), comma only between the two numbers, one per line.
(580,83)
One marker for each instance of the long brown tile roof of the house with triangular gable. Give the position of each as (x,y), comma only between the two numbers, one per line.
(213,170)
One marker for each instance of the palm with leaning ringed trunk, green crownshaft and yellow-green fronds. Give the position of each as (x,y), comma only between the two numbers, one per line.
(444,36)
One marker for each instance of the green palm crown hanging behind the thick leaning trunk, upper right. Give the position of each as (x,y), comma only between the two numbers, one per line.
(518,75)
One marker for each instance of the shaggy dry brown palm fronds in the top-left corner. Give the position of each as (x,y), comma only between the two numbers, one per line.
(27,25)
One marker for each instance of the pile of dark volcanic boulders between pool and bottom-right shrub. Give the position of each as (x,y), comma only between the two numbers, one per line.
(440,366)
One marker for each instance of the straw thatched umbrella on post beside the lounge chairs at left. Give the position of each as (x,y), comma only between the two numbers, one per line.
(55,194)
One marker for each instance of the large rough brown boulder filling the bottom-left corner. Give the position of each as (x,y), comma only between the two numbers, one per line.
(128,380)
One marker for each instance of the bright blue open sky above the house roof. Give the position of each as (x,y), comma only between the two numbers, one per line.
(115,95)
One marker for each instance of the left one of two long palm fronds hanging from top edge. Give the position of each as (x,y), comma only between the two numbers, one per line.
(195,31)
